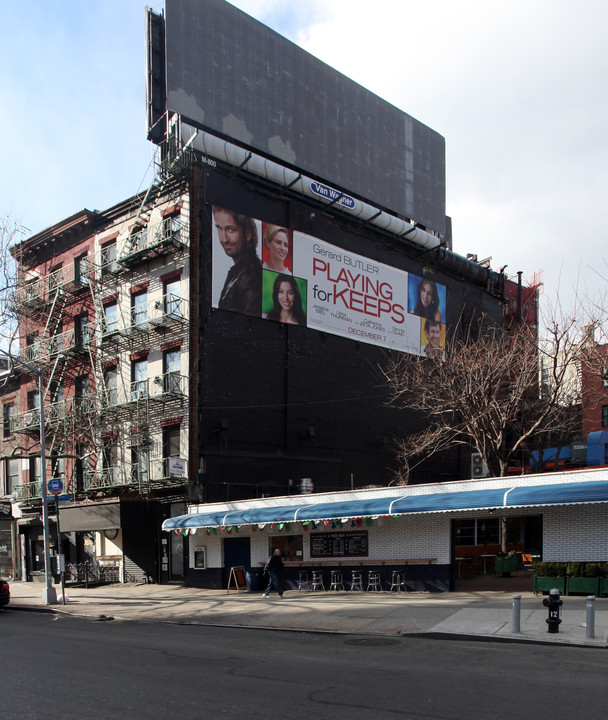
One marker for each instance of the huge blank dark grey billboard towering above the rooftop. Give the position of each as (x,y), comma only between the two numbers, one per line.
(232,75)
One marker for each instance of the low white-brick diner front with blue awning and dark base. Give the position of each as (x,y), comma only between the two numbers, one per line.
(424,531)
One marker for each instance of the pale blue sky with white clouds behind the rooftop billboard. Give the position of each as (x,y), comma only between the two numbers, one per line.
(519,91)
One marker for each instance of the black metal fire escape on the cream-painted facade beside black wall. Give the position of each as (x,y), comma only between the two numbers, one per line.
(139,386)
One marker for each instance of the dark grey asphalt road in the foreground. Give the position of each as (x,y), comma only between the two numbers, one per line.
(71,668)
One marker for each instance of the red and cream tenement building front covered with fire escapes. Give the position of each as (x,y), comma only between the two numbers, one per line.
(103,308)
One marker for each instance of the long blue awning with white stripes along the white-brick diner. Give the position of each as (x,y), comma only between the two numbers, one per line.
(401,504)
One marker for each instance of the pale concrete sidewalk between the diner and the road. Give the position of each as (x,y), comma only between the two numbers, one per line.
(476,613)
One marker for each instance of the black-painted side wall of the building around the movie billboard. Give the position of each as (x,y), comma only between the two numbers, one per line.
(280,403)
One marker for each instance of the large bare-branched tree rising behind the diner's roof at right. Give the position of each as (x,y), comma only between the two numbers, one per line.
(498,390)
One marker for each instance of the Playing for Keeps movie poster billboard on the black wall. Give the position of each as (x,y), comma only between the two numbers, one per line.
(281,274)
